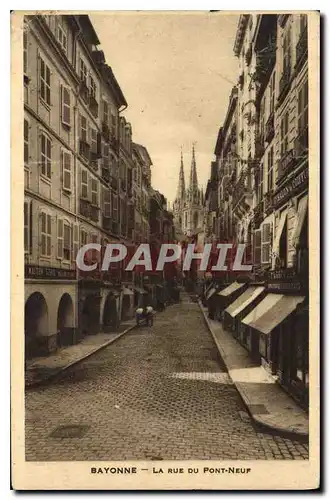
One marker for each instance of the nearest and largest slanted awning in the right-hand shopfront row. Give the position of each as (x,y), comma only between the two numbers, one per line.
(278,313)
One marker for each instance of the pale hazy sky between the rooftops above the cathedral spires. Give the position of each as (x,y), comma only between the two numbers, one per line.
(176,71)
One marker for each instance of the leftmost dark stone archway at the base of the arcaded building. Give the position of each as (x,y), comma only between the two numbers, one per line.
(35,325)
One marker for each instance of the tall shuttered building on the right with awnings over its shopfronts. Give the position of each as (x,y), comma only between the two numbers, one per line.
(267,194)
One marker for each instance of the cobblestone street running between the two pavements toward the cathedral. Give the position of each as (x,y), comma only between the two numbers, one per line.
(159,393)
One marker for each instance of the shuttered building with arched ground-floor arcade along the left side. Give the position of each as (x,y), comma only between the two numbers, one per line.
(78,182)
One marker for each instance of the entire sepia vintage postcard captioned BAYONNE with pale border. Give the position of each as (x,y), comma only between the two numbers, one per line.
(165,250)
